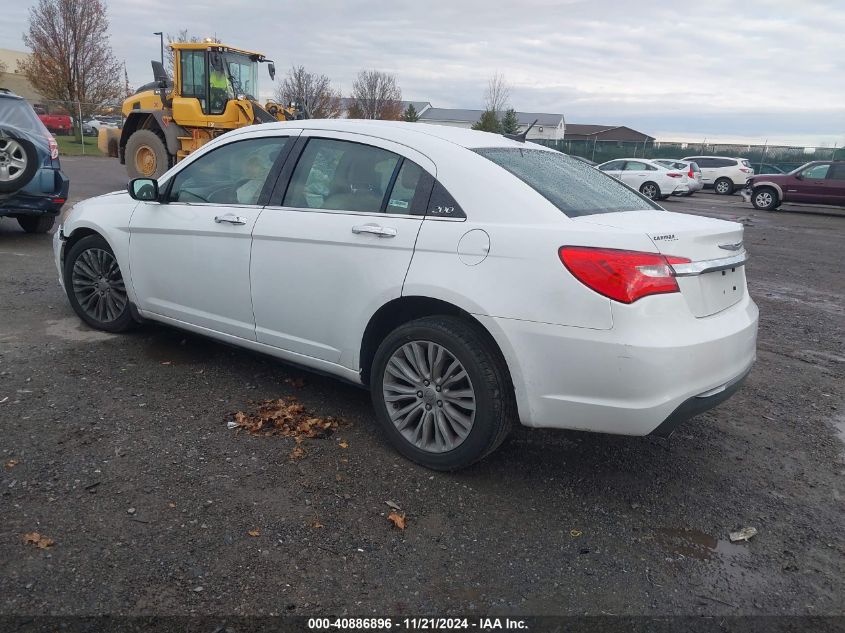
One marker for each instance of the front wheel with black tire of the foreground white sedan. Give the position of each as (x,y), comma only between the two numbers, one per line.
(95,286)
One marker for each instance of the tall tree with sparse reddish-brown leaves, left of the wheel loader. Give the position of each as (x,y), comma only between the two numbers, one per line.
(72,61)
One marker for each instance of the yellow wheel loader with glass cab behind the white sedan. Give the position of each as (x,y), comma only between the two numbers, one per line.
(213,91)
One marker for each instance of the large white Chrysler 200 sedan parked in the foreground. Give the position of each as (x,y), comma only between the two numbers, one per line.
(468,280)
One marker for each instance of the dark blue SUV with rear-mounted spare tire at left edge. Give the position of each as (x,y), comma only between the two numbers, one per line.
(32,185)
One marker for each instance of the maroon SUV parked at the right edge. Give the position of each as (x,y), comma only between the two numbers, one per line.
(818,182)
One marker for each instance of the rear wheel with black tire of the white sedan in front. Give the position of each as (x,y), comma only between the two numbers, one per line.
(442,393)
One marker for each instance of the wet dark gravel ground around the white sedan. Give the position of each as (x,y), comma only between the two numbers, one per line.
(117,448)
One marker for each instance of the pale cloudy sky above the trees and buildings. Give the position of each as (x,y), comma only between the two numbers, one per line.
(724,70)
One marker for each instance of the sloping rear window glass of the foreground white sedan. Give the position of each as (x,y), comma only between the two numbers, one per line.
(571,185)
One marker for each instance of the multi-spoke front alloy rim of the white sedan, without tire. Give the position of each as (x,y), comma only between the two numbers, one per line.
(98,285)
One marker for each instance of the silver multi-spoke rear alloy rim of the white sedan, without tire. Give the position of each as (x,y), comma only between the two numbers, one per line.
(429,396)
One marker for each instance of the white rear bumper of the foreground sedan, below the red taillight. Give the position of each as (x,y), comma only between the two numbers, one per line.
(630,379)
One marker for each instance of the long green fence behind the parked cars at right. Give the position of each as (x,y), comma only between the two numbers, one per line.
(783,157)
